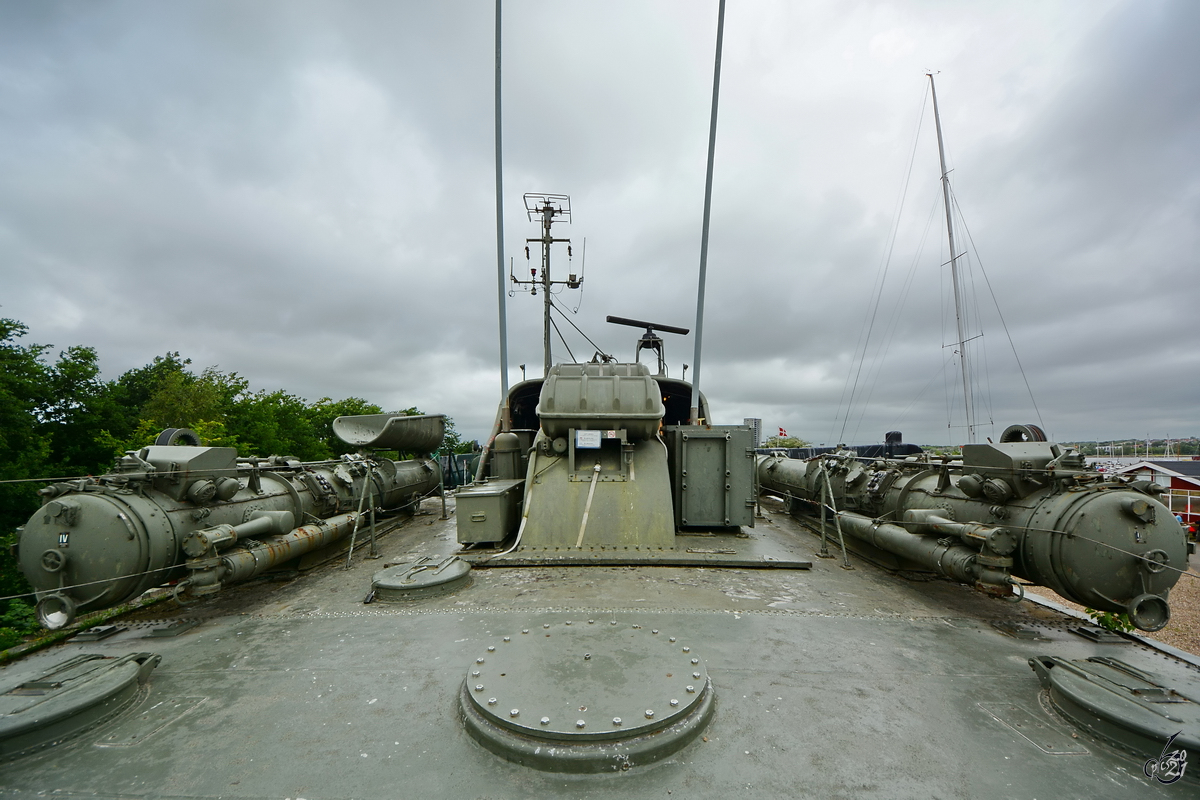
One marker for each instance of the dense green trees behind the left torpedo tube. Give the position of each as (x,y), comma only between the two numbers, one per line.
(61,420)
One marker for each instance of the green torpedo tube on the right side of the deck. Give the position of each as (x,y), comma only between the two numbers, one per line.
(1030,510)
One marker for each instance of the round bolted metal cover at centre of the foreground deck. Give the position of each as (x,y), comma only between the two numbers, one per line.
(586,696)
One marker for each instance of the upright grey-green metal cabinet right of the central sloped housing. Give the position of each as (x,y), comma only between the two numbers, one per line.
(713,477)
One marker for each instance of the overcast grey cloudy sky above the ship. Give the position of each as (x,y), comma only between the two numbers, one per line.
(304,194)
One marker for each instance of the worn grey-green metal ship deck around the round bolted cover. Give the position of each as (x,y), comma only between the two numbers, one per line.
(830,684)
